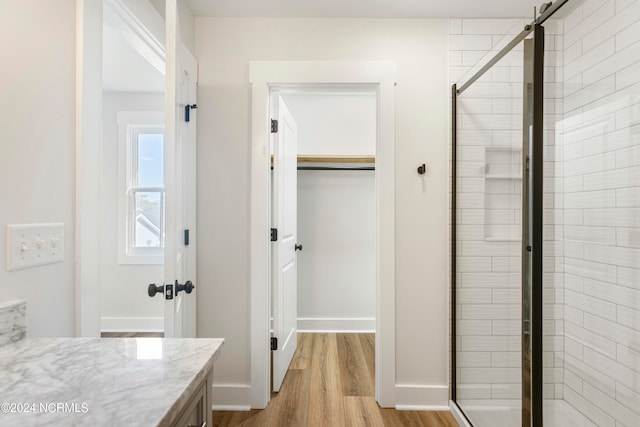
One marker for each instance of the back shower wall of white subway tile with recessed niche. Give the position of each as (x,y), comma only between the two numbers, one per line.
(489,156)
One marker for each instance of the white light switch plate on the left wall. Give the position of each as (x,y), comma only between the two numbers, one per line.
(30,245)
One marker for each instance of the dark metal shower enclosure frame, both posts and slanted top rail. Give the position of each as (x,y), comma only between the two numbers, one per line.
(532,218)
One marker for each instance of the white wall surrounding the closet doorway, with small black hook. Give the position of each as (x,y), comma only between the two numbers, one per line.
(224,48)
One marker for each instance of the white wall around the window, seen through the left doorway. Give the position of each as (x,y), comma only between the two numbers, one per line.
(123,296)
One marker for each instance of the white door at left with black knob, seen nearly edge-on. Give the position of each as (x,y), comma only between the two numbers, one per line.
(180,185)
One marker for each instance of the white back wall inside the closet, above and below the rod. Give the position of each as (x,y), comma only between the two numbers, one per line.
(336,214)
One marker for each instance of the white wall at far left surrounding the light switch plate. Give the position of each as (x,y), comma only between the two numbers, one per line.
(37,140)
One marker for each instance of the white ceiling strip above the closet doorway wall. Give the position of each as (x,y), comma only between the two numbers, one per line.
(364,8)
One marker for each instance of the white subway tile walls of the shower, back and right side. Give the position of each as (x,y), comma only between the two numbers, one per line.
(591,218)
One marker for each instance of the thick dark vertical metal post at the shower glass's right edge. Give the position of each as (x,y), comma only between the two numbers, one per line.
(532,227)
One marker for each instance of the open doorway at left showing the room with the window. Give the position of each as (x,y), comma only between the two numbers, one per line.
(132,168)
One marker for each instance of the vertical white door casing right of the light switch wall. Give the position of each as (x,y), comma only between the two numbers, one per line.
(88,154)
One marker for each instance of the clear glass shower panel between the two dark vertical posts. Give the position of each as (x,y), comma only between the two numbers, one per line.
(489,182)
